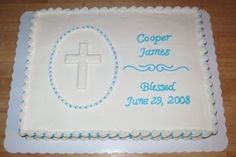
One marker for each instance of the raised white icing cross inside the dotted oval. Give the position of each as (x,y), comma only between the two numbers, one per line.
(82,60)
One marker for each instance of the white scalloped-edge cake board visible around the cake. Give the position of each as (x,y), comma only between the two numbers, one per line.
(14,143)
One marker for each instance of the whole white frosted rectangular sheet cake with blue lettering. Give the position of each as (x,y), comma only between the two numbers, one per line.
(117,73)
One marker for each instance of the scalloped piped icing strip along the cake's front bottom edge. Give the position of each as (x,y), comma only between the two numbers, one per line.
(118,135)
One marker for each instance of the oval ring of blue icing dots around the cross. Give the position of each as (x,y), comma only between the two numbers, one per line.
(51,62)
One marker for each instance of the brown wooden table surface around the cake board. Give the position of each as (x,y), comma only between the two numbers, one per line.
(223,19)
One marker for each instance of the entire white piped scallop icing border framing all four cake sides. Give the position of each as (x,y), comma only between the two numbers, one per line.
(193,134)
